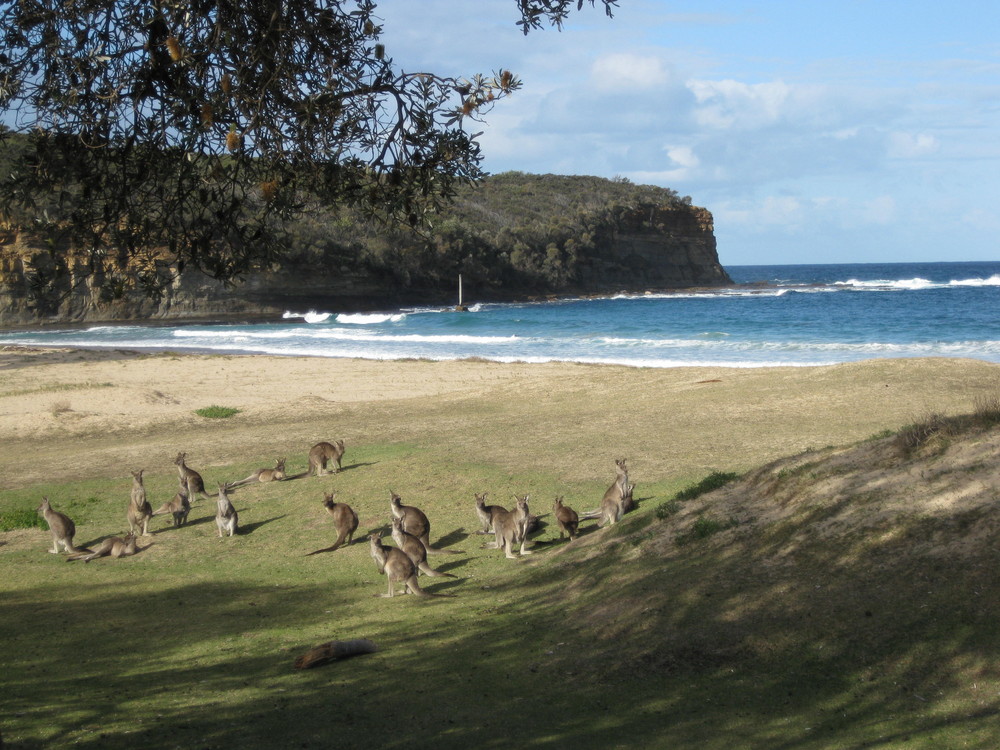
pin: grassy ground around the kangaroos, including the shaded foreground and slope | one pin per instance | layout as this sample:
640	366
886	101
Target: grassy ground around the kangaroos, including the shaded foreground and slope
786	623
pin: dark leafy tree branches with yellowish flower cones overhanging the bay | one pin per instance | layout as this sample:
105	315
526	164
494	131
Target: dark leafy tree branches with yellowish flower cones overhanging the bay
200	129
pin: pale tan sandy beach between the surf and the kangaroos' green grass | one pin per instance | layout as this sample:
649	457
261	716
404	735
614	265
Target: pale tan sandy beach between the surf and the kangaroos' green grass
68	414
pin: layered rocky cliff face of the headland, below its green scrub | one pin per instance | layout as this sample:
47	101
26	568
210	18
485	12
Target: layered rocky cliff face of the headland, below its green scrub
664	245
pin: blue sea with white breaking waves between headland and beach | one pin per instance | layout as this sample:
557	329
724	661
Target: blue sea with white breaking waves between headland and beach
775	315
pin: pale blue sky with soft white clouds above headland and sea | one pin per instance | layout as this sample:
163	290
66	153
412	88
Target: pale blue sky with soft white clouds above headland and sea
815	131
